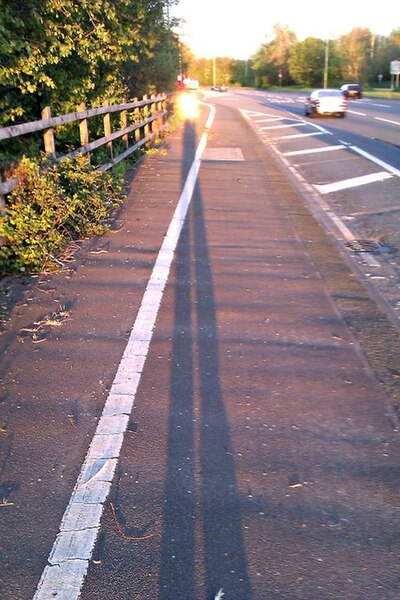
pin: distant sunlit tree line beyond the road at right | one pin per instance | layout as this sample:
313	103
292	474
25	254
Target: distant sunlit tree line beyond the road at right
360	56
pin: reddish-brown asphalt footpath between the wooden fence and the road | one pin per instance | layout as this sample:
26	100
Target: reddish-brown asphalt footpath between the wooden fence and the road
261	456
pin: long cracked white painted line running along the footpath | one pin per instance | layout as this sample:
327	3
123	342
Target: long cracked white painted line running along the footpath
69	558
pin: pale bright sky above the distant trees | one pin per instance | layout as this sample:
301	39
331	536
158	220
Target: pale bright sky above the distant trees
238	28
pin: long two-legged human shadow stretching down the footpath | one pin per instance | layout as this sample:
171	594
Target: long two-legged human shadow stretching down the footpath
212	519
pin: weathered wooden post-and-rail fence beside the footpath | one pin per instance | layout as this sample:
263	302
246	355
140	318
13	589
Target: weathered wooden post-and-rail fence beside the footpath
146	117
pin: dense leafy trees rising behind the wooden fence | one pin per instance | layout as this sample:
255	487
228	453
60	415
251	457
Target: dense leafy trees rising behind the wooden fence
65	52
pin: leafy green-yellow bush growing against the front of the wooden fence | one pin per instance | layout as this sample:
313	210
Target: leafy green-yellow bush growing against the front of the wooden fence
54	204
